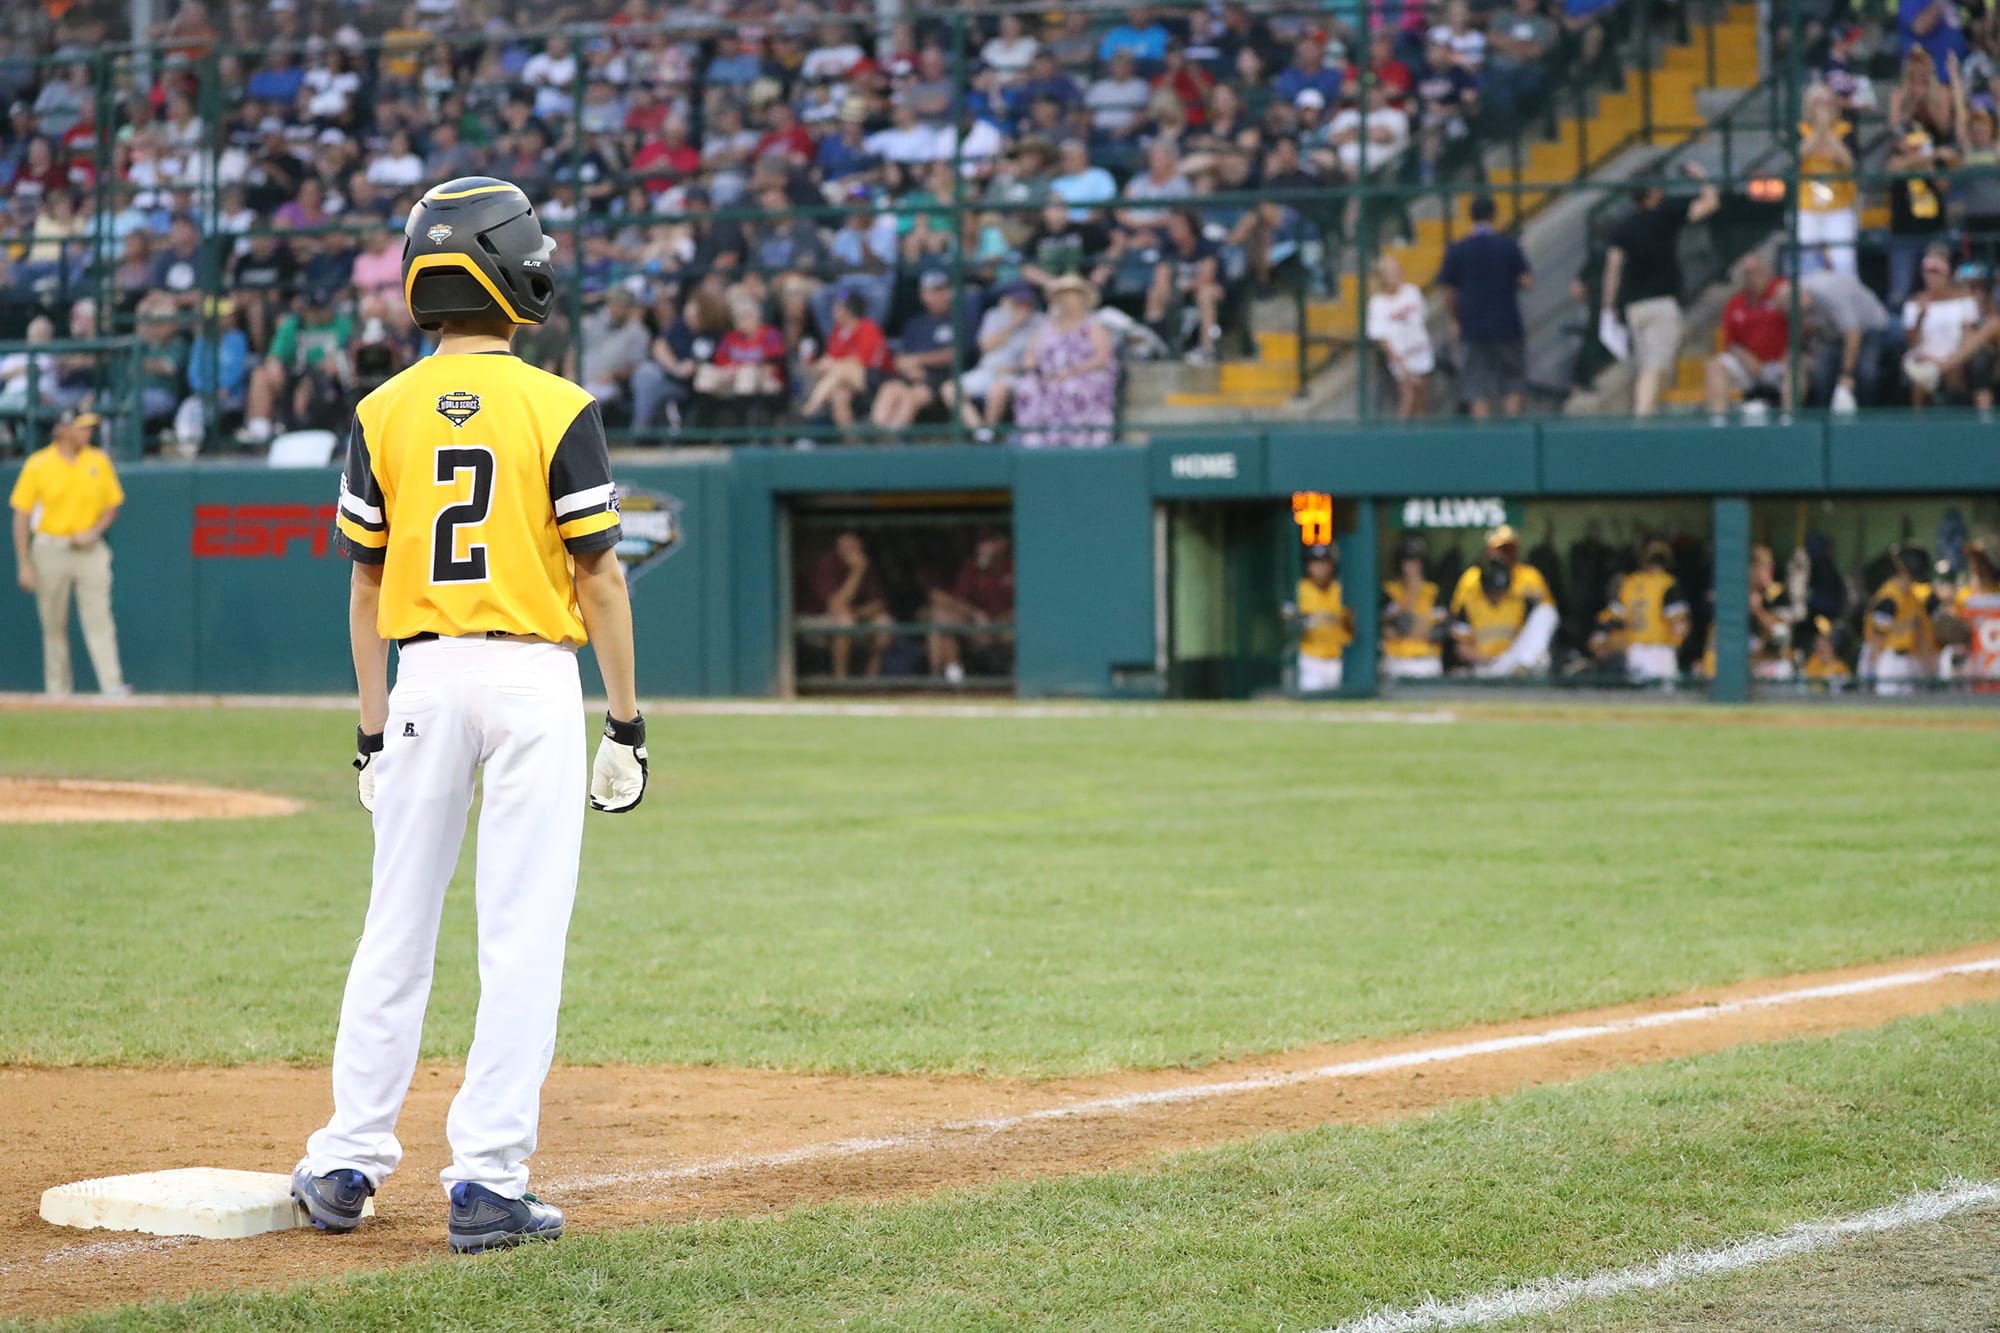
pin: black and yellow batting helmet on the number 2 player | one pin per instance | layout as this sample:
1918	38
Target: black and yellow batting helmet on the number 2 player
475	249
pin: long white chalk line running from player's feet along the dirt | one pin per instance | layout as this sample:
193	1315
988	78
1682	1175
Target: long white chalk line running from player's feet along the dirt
1259	1084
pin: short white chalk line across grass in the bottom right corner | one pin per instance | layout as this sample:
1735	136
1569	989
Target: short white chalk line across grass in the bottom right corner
1681	1266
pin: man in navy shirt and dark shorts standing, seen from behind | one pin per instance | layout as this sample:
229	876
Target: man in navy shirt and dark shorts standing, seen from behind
1483	277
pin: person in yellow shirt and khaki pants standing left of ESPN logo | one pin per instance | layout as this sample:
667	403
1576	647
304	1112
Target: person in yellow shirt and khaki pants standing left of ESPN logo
65	501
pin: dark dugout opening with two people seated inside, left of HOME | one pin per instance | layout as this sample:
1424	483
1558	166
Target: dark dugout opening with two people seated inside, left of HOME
897	593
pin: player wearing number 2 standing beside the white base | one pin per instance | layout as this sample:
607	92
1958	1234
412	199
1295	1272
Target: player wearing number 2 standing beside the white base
481	517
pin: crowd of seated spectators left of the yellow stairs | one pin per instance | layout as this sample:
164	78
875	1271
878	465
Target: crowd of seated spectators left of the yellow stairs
757	203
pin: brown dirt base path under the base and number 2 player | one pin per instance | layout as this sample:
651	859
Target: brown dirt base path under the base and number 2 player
663	1146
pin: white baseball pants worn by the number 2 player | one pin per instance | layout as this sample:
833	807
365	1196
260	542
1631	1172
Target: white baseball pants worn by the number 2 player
463	704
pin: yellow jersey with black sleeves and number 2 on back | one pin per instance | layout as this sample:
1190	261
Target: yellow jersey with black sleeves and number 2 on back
473	479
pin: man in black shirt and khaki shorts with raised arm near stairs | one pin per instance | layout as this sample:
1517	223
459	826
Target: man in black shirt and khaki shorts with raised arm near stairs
1643	277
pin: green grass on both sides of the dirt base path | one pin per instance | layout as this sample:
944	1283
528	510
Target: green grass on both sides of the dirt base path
1065	896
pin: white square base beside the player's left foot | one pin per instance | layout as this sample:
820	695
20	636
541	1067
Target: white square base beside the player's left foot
203	1202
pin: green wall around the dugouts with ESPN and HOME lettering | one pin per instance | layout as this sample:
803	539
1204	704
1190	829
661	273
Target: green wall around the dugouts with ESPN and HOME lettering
227	579
